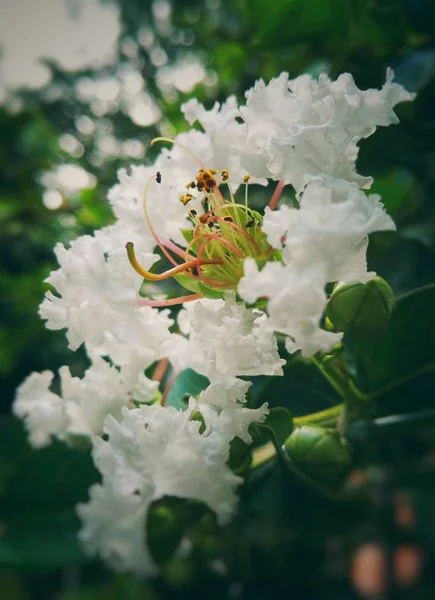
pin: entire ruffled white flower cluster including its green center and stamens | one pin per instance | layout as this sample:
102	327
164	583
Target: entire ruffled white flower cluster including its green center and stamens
247	277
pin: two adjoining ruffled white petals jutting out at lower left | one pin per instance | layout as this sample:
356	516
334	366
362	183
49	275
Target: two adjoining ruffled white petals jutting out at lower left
83	405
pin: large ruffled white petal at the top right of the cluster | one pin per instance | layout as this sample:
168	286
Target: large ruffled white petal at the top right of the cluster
300	129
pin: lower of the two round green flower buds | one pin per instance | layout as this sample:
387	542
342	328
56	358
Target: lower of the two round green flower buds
319	453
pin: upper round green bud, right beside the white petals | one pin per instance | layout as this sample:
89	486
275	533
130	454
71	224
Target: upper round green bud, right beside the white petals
362	305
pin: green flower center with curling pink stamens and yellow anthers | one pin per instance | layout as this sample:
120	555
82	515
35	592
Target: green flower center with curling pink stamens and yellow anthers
223	234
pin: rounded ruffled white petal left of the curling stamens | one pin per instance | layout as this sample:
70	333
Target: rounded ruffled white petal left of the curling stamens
94	286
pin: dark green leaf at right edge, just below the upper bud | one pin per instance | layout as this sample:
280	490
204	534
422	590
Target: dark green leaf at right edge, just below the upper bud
401	352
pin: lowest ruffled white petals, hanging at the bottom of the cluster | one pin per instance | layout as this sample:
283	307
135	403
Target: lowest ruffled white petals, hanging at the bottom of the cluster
153	452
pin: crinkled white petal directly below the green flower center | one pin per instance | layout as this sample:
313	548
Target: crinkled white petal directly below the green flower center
226	340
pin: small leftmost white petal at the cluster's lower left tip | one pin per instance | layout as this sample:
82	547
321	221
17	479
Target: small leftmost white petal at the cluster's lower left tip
43	412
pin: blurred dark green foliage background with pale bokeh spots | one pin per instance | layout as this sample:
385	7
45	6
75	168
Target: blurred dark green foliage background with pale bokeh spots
84	87
